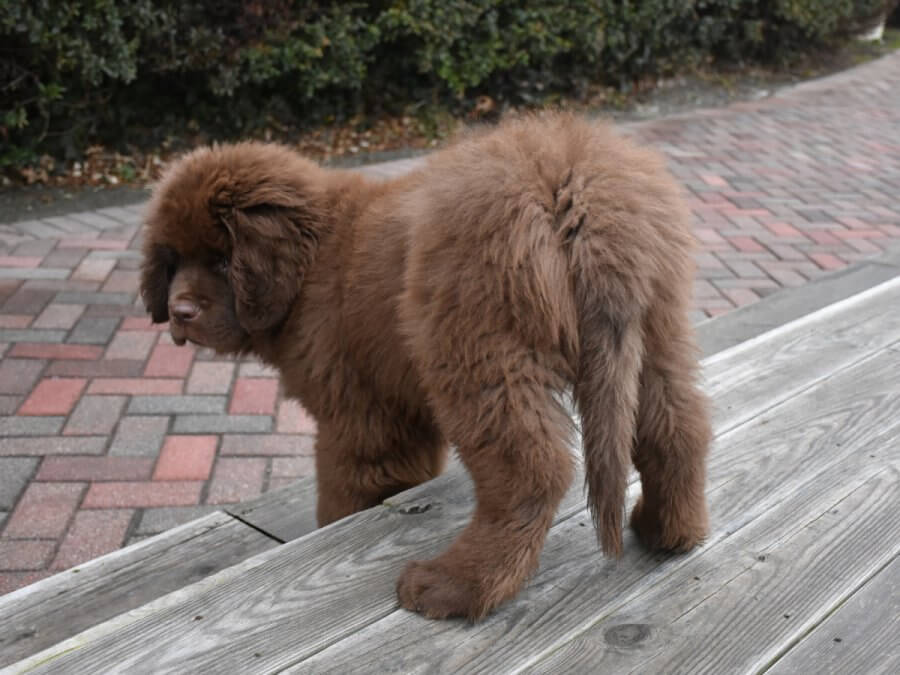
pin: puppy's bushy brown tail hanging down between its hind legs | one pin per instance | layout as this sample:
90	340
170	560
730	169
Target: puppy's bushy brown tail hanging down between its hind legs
606	390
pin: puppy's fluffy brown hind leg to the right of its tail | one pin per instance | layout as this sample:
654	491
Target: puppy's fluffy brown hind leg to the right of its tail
673	435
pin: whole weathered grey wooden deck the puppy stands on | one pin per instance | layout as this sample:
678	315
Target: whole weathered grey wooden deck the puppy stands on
800	572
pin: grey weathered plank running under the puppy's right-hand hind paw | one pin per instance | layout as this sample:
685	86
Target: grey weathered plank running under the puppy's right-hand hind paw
751	469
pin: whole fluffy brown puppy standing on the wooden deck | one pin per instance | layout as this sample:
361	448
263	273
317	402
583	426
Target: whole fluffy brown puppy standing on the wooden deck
454	305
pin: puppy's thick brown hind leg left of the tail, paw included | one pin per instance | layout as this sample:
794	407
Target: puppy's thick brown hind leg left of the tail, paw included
513	437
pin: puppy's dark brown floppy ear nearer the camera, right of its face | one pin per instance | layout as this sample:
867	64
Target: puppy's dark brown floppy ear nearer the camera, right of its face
272	247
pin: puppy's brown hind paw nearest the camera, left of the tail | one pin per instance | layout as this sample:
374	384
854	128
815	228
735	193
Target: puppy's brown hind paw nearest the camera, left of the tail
433	590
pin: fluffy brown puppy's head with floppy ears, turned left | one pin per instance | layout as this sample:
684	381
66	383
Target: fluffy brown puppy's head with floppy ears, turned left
230	234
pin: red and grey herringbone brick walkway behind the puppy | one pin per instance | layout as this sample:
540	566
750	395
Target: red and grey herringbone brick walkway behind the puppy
110	433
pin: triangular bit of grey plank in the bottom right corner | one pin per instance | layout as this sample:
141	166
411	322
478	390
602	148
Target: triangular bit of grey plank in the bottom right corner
862	636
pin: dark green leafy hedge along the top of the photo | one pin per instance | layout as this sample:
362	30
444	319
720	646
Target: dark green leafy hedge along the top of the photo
120	71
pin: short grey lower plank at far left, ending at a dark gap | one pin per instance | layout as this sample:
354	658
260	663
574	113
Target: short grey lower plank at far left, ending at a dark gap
40	615
